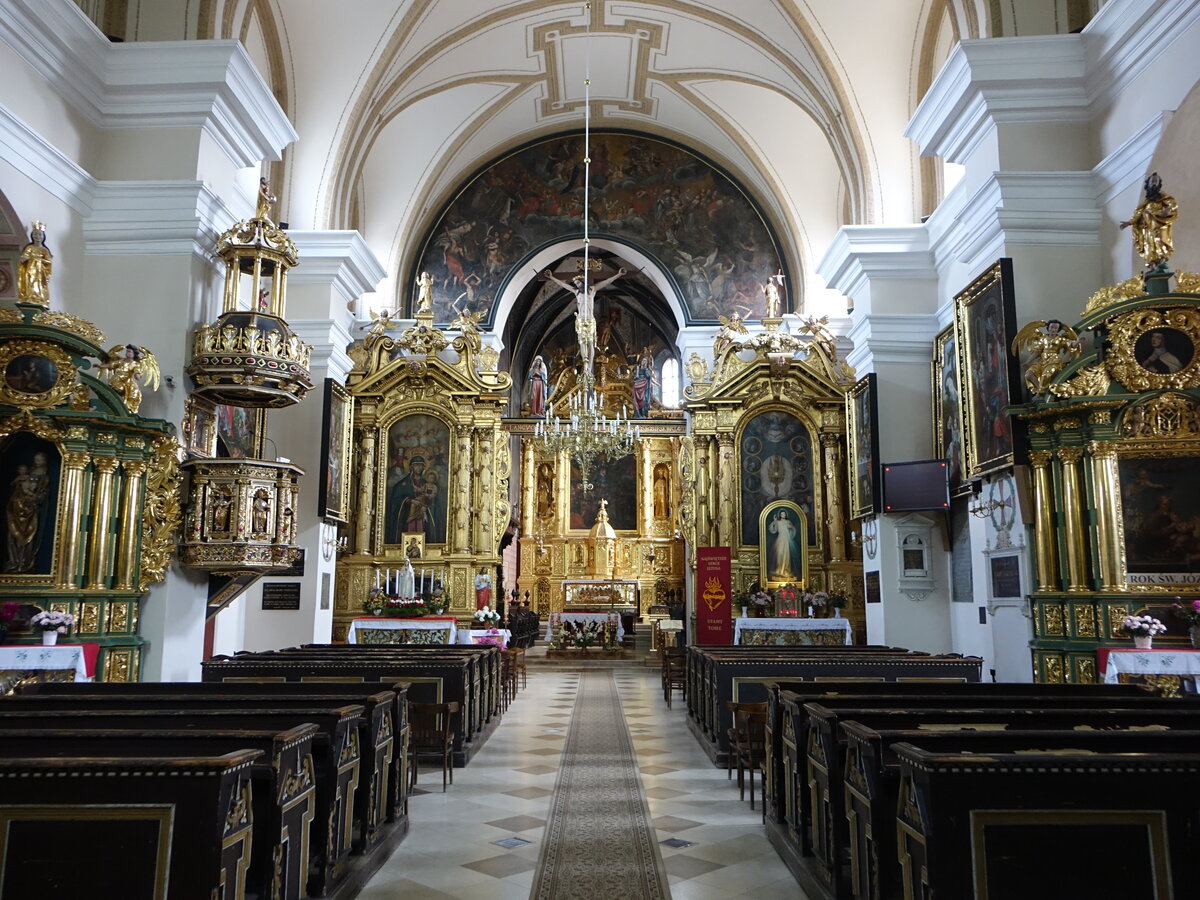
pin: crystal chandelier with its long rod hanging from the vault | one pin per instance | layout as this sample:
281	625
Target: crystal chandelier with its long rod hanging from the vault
586	434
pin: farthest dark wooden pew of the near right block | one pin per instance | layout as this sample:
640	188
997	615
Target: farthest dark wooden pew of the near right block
777	775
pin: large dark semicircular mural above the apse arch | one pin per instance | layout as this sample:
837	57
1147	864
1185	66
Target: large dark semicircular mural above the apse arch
697	223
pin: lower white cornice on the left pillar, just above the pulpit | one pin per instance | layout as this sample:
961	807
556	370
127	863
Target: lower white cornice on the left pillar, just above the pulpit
155	219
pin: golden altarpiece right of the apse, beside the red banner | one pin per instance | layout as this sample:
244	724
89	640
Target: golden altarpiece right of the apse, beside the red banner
769	425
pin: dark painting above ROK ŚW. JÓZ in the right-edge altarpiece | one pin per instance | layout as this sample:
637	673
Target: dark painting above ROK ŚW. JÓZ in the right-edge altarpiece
1162	520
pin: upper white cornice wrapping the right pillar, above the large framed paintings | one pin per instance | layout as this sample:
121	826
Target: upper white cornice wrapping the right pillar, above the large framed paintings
1000	81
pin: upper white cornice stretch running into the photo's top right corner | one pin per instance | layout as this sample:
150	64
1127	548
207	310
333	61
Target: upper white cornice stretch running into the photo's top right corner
1126	39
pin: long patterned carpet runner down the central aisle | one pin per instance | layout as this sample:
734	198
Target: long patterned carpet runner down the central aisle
599	841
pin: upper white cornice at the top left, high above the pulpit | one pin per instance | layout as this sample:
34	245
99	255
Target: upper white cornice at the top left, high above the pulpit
212	86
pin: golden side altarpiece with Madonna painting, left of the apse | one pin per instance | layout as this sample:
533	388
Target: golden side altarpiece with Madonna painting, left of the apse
430	463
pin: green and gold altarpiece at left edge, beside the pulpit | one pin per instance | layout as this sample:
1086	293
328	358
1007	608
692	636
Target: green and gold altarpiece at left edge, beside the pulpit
91	489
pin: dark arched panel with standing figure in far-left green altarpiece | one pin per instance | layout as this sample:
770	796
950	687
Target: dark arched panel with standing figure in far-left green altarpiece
29	495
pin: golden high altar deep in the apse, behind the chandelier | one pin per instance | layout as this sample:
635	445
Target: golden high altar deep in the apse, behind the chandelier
616	547
